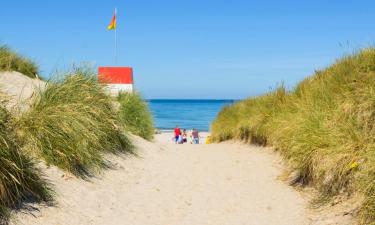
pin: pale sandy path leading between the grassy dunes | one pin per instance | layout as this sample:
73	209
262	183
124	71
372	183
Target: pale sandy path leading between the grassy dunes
177	184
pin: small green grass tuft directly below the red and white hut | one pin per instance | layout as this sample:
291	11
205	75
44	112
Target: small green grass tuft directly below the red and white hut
135	115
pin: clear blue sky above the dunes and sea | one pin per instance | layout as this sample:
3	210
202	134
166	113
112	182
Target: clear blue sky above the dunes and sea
192	49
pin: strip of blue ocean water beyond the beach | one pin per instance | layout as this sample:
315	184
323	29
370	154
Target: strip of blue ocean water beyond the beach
187	114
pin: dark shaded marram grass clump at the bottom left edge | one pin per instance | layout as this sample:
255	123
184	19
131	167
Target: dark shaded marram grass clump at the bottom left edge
20	179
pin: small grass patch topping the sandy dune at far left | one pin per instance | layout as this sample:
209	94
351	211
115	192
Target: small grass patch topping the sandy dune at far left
11	61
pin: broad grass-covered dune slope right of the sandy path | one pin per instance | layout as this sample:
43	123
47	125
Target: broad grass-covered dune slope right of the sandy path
324	128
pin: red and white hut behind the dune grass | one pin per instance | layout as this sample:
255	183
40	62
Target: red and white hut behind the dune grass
117	79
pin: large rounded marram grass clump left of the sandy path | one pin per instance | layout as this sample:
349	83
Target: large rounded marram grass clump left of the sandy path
72	123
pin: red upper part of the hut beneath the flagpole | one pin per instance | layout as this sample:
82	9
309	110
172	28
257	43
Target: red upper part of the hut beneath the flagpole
115	75
